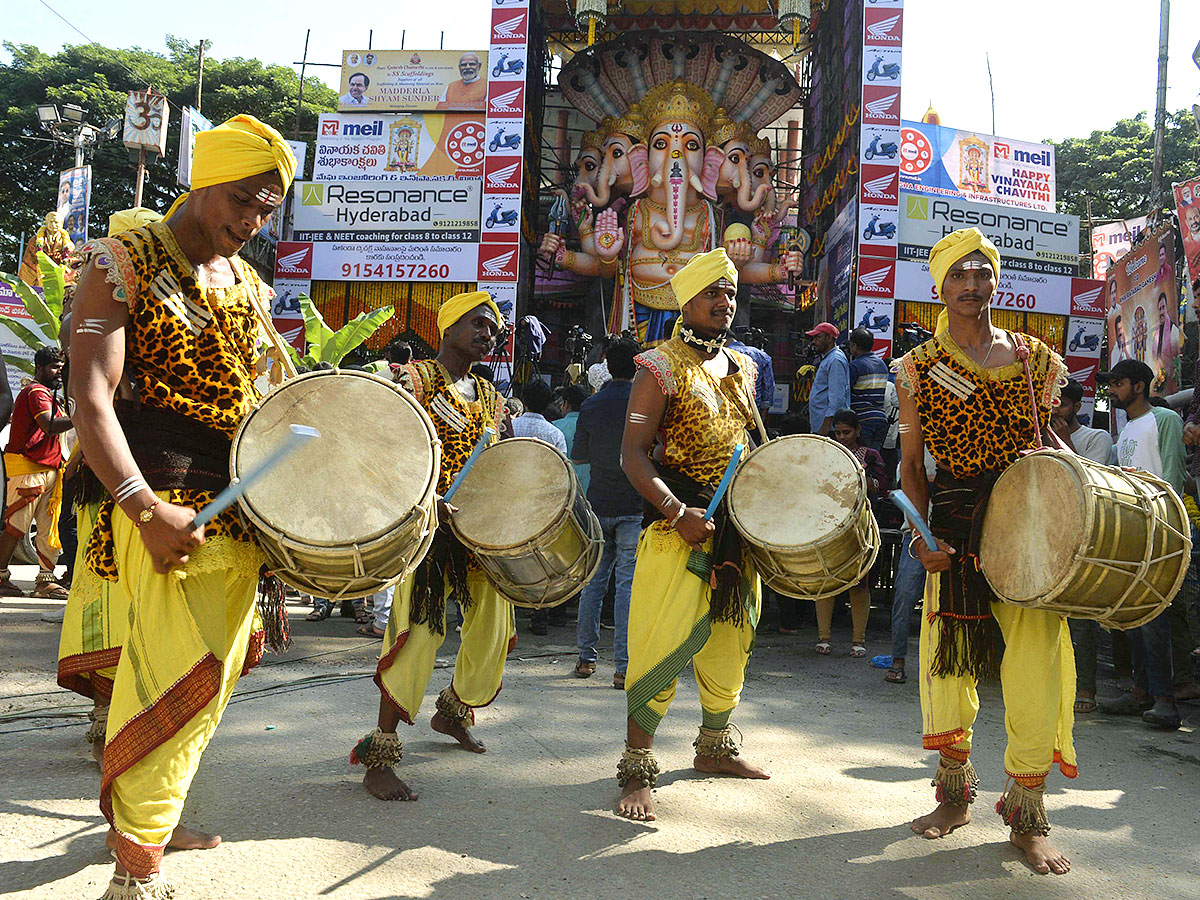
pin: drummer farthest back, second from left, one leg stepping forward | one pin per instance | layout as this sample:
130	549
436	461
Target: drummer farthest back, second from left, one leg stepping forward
461	406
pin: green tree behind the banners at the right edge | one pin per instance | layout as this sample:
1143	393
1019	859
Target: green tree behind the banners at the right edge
1113	169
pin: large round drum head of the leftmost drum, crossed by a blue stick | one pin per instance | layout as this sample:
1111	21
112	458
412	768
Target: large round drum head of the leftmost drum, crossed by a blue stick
375	460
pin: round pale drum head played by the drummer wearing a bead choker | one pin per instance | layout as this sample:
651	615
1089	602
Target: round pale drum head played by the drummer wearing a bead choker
795	491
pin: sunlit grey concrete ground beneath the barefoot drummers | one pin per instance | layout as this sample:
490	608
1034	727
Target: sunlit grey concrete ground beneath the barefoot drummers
533	817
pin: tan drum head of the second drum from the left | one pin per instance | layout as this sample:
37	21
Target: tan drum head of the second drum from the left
514	494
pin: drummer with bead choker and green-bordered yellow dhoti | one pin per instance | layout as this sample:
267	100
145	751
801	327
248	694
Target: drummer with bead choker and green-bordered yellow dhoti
700	397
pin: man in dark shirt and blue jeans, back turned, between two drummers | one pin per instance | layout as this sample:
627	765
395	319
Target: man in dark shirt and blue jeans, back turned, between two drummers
598	436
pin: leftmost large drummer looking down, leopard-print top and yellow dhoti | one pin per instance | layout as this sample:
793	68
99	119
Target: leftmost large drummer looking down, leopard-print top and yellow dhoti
172	304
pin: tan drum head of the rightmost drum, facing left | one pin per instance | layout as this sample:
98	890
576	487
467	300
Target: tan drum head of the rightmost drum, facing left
1034	527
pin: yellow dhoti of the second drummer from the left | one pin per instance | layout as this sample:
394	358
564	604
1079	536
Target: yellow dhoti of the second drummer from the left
410	650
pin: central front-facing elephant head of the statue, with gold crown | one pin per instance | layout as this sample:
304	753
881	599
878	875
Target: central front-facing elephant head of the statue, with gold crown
681	172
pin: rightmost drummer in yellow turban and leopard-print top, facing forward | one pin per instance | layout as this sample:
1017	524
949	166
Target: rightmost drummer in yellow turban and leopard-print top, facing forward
965	397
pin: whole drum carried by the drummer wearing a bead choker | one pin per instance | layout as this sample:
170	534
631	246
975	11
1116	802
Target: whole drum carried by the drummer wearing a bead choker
801	505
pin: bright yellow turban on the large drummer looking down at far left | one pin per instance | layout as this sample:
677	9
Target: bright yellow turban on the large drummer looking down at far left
239	148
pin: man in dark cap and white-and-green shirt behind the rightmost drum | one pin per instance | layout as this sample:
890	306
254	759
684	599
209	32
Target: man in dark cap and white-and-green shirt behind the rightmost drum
1153	441
